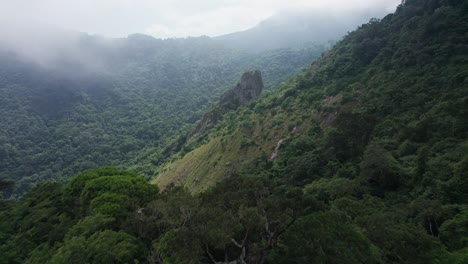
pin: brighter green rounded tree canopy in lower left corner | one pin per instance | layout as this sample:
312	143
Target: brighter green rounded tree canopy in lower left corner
43	227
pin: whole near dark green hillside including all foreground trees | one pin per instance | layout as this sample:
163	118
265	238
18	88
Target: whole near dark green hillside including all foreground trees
372	168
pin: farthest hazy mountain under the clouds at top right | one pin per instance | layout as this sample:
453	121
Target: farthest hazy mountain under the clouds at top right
293	28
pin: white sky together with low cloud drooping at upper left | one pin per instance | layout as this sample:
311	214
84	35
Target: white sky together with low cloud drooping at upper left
48	31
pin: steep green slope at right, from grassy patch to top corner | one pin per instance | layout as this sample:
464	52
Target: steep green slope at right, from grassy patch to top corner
399	83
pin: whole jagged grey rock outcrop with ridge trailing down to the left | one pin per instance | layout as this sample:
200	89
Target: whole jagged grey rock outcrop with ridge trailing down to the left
249	88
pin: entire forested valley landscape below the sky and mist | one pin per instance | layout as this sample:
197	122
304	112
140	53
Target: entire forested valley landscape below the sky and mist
188	151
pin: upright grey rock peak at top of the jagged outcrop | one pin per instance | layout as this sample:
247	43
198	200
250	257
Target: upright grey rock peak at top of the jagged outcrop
250	87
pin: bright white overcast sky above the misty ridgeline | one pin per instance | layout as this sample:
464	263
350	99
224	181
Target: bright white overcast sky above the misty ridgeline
163	18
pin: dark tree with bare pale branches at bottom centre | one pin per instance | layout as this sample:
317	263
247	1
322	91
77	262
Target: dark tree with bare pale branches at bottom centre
240	219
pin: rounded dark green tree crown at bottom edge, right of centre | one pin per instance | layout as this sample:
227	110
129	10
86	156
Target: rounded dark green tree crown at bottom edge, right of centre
325	237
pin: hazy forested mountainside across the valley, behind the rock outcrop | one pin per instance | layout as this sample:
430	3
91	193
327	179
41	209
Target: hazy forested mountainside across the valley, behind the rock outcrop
141	95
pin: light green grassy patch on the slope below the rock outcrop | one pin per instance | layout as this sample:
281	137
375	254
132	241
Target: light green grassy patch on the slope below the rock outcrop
242	136
